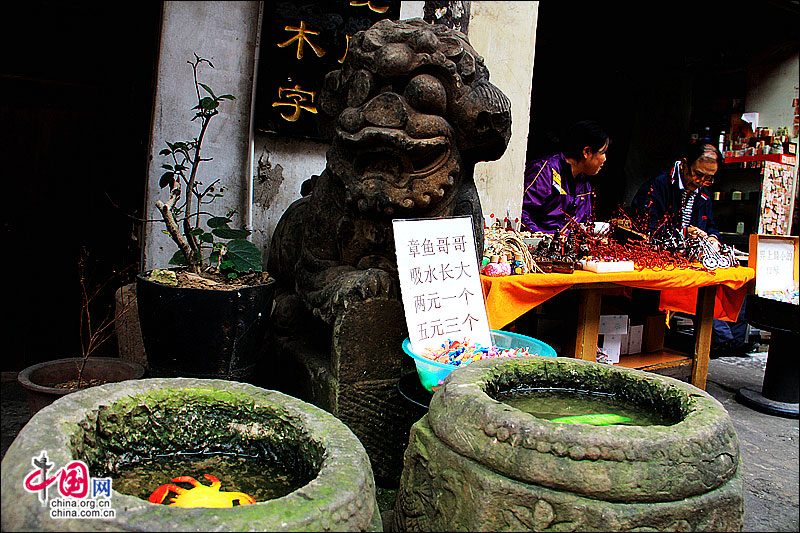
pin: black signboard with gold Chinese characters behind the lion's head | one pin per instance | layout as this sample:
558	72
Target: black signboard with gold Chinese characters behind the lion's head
300	43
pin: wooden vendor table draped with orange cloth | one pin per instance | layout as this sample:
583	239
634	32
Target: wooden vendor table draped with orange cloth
705	294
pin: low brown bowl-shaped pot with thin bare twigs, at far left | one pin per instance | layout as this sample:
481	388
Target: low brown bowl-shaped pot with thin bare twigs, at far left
46	382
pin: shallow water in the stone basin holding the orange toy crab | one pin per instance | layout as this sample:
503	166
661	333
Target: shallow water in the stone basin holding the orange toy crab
263	480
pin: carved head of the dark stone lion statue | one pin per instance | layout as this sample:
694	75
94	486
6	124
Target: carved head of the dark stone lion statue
409	113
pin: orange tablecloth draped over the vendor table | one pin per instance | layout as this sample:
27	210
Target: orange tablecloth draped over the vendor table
509	297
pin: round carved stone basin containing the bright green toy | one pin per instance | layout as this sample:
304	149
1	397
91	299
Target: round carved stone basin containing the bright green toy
496	468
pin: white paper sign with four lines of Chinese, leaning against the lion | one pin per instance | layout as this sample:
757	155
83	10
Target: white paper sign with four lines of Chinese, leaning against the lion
440	281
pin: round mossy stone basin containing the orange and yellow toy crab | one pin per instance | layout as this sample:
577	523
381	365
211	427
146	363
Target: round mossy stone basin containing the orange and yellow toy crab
108	424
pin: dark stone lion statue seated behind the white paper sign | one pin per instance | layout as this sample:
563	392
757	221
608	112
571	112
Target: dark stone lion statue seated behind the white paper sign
409	114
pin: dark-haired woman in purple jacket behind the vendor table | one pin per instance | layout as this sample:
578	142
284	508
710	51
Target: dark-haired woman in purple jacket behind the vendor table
557	188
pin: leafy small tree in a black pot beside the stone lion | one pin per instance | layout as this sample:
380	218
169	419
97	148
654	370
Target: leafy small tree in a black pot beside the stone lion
207	318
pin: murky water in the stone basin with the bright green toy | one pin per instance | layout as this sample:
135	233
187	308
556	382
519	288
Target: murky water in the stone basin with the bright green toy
548	404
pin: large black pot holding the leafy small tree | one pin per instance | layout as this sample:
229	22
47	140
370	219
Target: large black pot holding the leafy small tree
203	333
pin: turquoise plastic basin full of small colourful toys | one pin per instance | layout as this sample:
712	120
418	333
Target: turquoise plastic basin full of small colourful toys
434	365
